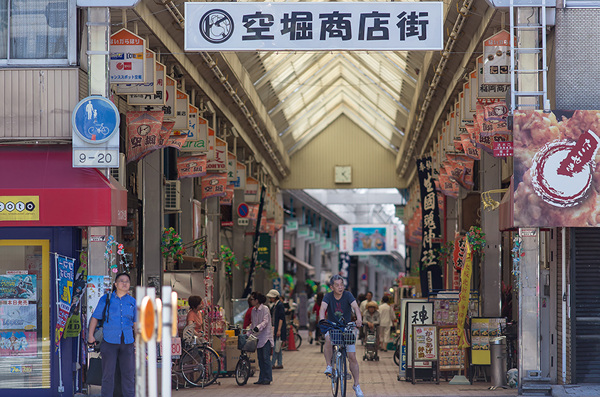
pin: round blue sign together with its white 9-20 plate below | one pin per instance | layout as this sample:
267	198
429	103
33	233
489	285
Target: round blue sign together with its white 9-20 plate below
95	122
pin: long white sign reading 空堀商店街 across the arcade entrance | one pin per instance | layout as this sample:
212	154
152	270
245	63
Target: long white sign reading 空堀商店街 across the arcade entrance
312	26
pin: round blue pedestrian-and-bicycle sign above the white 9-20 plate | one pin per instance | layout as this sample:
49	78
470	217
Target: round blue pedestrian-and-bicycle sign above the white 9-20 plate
95	119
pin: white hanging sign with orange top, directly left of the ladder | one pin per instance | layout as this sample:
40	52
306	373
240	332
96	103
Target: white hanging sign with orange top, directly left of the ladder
496	58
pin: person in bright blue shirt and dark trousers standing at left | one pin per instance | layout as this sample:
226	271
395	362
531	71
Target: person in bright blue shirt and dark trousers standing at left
119	329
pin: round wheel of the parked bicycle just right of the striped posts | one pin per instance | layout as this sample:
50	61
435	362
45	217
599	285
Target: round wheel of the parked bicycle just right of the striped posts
200	367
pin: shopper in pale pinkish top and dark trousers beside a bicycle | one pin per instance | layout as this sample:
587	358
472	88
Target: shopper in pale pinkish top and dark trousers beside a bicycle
261	325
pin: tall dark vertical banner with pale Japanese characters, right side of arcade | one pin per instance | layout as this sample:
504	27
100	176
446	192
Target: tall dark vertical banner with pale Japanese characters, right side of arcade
431	228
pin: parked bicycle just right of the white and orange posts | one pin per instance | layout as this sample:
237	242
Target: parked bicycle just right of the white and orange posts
200	364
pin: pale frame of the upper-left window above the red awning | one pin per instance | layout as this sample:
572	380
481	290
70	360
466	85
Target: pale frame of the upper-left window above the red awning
70	60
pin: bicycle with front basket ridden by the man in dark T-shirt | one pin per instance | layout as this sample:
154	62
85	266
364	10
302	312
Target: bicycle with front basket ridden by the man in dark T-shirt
340	335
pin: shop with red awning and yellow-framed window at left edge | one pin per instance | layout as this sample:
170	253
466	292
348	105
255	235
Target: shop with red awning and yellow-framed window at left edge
44	206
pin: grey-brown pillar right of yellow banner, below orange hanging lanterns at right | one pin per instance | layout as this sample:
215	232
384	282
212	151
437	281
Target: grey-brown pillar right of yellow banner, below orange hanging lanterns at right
491	268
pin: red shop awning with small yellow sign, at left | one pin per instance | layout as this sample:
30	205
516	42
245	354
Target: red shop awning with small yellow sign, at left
39	187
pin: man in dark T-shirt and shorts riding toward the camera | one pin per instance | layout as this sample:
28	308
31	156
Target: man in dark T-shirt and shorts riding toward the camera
336	304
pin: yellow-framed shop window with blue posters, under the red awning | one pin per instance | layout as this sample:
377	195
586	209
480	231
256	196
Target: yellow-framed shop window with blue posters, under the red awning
24	314
